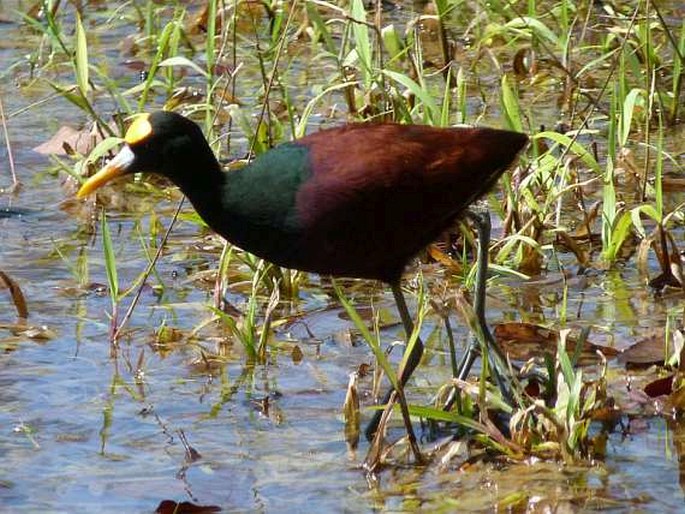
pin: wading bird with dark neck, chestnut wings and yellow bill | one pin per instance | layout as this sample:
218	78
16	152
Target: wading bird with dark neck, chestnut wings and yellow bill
360	200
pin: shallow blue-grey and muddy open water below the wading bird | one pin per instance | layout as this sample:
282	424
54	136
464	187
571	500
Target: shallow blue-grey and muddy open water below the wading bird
86	427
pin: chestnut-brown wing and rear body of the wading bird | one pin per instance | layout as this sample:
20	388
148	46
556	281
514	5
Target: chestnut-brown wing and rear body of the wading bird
380	193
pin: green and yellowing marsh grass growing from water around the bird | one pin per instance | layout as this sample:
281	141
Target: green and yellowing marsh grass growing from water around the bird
597	87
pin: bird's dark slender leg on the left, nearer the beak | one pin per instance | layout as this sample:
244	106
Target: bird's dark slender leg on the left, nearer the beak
411	363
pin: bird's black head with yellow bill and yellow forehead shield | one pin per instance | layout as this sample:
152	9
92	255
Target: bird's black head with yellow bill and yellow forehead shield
161	142
